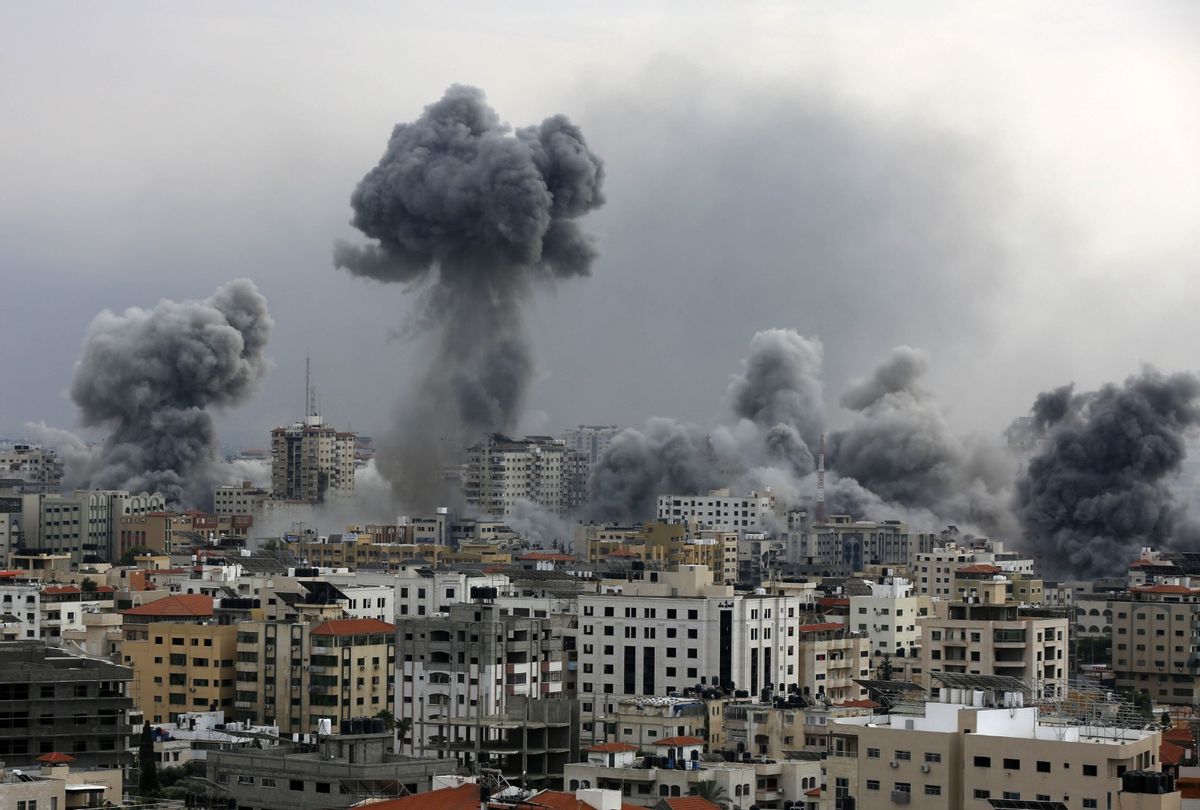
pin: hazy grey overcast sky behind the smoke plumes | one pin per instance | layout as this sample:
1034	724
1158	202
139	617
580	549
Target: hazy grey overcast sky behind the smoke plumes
1012	188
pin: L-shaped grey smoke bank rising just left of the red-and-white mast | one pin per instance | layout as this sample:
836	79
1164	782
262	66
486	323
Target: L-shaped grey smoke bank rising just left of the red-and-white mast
777	403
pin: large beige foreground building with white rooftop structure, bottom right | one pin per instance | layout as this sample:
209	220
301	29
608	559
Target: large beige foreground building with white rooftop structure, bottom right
976	747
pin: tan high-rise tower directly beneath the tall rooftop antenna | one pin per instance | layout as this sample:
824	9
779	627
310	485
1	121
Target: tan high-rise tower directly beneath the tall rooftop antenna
313	463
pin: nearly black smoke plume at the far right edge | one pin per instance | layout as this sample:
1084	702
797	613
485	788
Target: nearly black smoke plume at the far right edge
1097	489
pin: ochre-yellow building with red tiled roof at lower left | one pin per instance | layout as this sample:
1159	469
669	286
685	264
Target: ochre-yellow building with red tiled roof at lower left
182	659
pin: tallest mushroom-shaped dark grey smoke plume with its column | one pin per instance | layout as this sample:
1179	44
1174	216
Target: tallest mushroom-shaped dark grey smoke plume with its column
481	214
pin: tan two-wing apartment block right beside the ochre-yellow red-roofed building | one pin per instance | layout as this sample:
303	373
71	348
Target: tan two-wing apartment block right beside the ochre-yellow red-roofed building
297	674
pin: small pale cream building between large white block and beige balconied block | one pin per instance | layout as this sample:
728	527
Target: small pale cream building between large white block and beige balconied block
890	617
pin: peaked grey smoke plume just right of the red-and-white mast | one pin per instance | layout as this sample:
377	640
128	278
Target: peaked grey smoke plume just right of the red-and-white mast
902	449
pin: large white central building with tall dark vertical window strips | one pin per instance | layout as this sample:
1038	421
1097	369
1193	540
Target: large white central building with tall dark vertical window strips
679	629
